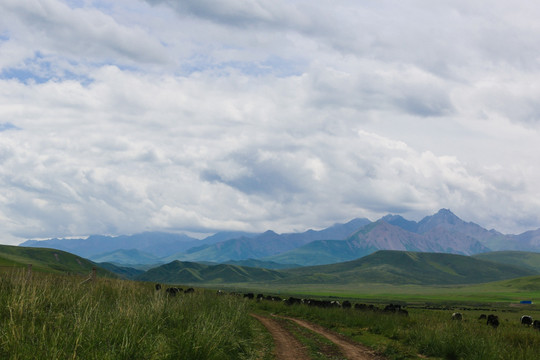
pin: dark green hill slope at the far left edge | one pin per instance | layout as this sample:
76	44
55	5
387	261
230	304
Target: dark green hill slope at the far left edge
47	260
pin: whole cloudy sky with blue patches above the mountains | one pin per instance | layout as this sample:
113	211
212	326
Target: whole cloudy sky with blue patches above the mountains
124	116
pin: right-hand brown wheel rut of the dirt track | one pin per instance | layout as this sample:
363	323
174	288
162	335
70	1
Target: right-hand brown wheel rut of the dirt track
351	349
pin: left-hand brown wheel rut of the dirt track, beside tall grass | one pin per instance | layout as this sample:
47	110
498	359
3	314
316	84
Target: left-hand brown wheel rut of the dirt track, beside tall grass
287	347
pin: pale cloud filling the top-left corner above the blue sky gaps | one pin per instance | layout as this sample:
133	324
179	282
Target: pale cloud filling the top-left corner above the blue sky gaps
53	29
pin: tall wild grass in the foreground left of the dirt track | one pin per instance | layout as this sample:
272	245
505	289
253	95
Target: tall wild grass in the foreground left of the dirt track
57	317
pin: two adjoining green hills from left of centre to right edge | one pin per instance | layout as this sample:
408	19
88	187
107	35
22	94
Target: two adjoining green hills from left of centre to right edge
385	266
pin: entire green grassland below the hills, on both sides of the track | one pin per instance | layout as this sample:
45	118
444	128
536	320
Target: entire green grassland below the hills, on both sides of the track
51	316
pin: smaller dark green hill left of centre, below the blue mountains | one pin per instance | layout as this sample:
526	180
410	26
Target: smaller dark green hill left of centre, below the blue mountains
178	272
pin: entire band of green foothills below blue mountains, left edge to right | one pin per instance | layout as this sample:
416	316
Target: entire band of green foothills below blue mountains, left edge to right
381	267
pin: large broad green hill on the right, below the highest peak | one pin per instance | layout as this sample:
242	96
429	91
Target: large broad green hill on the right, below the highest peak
402	267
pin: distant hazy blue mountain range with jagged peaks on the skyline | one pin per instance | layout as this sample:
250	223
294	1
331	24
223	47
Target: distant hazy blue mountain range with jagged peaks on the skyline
442	232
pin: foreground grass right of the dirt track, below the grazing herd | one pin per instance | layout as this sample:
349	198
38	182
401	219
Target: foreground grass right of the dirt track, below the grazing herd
431	333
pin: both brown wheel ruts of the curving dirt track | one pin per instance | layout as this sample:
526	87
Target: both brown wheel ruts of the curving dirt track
286	344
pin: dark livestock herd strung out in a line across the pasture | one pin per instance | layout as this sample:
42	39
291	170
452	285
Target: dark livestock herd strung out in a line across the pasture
491	319
